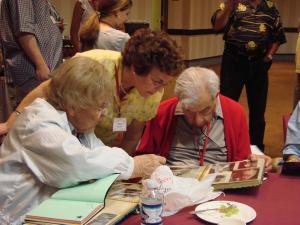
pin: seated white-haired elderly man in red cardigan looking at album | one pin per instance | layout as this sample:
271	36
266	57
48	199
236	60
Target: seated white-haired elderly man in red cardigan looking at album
199	126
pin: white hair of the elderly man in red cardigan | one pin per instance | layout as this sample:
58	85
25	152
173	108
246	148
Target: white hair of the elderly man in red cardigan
193	82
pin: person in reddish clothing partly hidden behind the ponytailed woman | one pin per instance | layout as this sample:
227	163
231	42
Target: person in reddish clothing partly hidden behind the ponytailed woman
83	9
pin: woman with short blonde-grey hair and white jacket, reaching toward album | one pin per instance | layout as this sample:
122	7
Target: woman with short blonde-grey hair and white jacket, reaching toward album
52	144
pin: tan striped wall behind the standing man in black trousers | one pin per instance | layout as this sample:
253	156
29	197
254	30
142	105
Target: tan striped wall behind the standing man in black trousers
196	14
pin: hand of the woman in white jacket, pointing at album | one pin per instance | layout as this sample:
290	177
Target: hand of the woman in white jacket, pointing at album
144	165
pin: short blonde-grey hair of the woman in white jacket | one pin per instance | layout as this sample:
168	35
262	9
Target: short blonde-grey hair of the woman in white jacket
79	83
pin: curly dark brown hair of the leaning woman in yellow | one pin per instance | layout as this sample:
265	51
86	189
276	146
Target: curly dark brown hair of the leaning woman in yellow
147	49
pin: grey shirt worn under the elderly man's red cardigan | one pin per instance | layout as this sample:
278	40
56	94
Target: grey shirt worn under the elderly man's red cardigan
184	149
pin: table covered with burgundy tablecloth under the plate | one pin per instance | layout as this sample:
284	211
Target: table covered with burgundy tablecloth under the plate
276	202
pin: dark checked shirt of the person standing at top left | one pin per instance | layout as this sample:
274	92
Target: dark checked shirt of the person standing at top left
34	17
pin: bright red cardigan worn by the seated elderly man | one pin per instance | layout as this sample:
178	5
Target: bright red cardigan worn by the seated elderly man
159	131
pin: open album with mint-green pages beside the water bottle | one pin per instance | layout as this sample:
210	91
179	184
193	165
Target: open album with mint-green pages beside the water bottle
102	202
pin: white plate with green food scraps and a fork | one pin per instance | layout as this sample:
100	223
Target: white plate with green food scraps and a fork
214	211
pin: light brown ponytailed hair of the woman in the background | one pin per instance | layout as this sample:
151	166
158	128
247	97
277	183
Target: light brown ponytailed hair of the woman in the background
89	31
